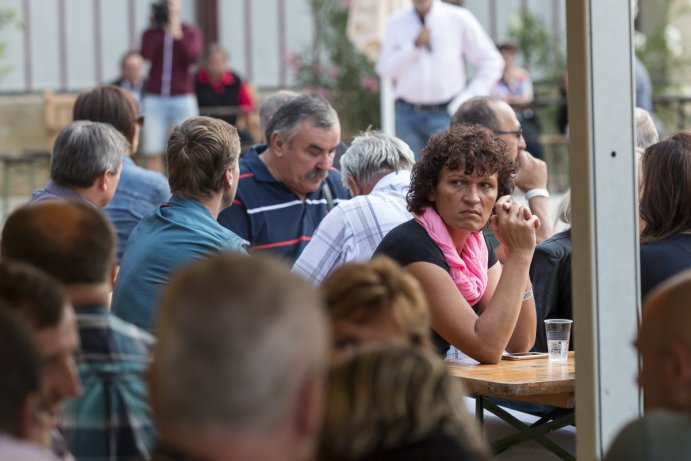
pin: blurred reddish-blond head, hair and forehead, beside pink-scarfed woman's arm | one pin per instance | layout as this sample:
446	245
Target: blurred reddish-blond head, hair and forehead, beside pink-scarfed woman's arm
375	302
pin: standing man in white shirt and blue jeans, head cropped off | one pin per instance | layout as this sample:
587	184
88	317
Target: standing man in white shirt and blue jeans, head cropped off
424	52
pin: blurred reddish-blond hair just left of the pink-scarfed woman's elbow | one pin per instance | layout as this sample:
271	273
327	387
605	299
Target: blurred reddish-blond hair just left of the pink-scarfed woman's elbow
362	292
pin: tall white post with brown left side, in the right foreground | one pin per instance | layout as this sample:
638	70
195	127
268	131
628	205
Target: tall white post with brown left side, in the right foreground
605	262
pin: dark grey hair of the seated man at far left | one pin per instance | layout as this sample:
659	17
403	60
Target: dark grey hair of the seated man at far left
84	150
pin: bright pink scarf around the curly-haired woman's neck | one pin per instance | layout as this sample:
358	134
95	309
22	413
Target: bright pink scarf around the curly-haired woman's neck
469	269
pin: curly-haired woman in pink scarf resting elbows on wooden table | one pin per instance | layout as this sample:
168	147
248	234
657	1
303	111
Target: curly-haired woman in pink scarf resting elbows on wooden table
475	304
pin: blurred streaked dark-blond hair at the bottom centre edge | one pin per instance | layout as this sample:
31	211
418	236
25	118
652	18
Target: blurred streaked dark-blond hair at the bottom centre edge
380	398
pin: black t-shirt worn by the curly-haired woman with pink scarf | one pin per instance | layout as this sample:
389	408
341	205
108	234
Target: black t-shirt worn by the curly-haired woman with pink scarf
410	243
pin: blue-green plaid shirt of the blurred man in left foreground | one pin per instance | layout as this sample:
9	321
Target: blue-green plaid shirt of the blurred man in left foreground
111	420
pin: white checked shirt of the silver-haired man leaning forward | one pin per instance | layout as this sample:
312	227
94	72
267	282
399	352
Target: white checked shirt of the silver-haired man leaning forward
353	230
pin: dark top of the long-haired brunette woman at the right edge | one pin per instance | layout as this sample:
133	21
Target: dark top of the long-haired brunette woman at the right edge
663	259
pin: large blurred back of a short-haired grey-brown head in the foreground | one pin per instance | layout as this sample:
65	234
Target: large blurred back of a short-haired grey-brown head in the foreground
248	334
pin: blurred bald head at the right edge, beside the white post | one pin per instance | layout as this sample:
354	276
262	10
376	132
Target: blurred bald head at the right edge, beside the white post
664	342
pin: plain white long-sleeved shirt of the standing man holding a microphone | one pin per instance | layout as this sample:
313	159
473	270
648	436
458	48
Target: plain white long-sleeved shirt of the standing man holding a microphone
437	74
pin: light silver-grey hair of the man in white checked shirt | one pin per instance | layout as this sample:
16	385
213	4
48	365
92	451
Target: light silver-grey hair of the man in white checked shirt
373	154
